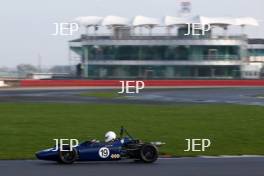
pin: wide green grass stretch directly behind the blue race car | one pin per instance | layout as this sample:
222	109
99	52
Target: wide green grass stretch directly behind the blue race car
233	129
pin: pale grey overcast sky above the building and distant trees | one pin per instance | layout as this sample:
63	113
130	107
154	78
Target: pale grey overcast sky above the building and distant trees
26	25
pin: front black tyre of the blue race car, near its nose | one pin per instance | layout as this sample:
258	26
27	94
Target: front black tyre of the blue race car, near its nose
67	157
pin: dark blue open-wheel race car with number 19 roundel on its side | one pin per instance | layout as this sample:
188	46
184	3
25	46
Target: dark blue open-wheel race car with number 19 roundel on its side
120	148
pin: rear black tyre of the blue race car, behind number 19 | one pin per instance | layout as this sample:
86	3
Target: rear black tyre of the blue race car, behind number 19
148	153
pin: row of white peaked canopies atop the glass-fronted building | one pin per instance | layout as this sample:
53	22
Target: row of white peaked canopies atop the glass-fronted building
167	21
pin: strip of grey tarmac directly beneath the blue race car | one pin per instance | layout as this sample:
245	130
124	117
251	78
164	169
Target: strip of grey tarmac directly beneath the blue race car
249	166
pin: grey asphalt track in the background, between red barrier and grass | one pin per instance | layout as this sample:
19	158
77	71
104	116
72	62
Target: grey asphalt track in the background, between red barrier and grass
247	96
